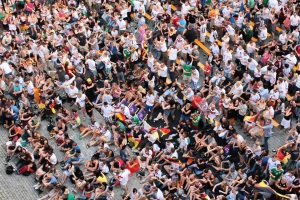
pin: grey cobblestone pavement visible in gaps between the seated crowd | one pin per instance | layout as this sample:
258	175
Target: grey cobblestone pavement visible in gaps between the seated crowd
15	187
